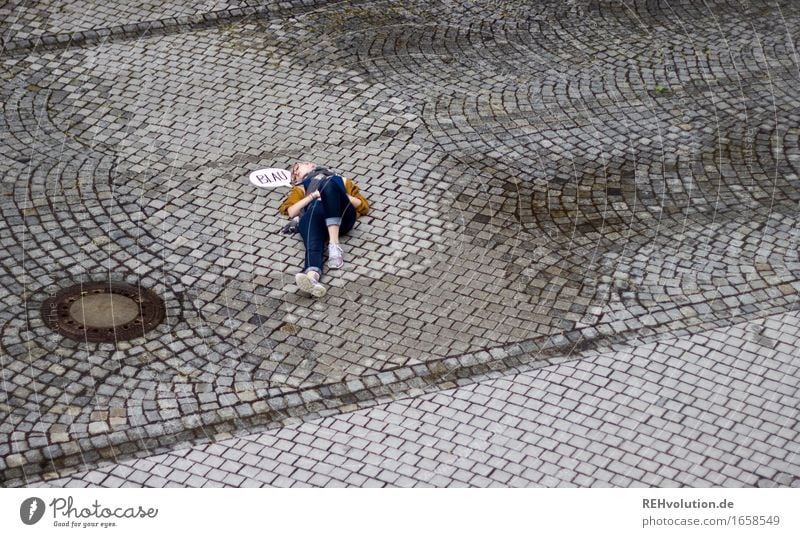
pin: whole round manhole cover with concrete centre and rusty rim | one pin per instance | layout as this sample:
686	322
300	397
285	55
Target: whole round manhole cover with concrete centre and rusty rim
103	311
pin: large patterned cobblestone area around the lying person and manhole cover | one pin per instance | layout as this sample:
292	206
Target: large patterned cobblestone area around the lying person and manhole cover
547	177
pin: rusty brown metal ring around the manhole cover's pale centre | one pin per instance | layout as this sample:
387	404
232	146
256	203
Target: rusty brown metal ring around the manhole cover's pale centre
56	312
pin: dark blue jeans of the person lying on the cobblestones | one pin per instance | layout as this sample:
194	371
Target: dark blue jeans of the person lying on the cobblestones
334	208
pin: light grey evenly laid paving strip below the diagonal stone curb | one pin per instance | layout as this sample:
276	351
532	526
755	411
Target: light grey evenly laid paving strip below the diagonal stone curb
715	409
